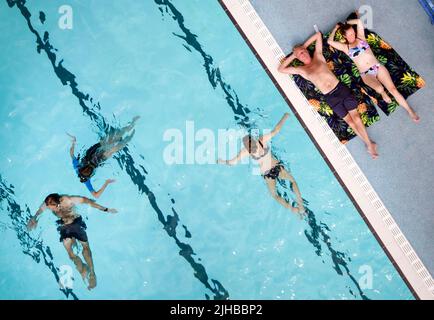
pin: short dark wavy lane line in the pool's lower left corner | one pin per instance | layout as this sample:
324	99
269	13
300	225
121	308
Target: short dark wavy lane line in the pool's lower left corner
32	247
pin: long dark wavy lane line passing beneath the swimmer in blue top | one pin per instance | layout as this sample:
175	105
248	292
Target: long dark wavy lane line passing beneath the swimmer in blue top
125	159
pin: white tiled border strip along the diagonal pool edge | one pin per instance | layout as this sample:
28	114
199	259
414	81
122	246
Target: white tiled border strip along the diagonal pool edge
368	200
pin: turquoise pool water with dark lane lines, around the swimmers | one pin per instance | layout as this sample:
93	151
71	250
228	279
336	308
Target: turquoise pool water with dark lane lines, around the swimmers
182	231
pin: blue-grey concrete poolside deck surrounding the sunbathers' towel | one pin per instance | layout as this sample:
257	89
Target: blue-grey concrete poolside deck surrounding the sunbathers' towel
403	176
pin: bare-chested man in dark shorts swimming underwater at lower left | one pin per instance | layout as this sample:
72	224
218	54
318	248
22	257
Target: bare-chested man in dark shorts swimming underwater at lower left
71	228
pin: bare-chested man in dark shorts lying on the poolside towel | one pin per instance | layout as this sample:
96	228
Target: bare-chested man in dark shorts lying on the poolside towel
340	98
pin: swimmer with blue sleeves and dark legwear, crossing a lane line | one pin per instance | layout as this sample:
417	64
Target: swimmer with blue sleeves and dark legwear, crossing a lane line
98	153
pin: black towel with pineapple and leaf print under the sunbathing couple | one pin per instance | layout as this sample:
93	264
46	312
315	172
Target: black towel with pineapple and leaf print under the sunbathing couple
406	80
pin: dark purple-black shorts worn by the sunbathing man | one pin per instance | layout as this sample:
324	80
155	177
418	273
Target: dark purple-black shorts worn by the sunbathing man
341	100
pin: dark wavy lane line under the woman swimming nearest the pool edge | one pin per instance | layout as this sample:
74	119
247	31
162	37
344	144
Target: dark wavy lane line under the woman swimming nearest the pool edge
317	233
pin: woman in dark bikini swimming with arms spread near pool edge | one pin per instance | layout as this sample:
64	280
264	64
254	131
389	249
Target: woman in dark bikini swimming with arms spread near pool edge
271	169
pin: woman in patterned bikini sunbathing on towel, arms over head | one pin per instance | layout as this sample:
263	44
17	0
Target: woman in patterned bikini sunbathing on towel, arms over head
372	72
